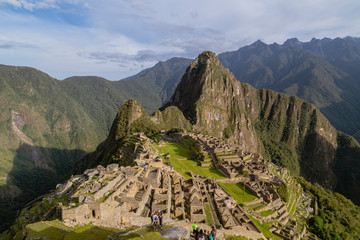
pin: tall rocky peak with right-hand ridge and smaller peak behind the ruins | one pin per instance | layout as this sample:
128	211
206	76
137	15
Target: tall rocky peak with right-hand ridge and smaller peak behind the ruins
286	129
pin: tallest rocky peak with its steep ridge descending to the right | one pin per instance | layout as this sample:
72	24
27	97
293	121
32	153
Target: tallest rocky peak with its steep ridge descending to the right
286	129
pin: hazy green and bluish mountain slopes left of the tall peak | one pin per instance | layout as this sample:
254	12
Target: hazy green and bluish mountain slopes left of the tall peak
46	124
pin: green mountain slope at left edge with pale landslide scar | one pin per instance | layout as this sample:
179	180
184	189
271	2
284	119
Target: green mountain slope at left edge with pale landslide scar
42	132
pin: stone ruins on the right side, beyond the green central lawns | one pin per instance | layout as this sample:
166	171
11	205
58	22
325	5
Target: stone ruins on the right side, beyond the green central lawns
250	169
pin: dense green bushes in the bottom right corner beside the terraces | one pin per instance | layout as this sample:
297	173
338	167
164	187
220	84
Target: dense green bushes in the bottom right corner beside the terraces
336	216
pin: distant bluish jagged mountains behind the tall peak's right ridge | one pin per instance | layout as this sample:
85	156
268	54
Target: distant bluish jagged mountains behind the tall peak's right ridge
323	72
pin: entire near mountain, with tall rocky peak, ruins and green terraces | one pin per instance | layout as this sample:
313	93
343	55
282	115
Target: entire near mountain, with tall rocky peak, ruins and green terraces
219	154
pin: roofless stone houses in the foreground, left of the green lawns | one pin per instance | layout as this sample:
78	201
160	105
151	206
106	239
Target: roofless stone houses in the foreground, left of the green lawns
125	196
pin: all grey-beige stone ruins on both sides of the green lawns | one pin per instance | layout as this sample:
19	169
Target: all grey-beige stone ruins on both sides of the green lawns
124	196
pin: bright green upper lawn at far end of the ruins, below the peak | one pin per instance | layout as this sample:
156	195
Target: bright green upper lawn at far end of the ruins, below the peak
177	152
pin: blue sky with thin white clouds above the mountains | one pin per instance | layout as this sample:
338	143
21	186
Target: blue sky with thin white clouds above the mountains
115	39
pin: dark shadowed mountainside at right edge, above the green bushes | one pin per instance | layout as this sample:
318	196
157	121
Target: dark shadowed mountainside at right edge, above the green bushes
342	175
